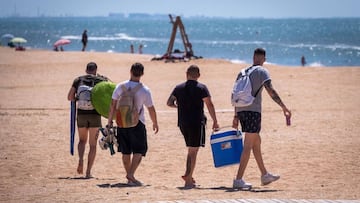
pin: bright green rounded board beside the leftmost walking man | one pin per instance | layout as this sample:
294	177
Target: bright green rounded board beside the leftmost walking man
101	97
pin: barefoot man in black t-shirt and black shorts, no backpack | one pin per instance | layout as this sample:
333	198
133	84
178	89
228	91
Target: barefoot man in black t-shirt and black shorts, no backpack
189	98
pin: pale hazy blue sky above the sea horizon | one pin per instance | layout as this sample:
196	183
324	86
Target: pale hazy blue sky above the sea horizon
223	8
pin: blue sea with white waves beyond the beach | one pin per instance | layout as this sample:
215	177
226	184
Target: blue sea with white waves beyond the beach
323	42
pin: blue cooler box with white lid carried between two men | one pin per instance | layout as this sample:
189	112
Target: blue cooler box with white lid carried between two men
226	147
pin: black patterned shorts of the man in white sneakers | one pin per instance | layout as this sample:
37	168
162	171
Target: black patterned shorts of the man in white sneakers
250	121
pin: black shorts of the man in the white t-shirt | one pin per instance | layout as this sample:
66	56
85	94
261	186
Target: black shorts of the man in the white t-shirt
132	140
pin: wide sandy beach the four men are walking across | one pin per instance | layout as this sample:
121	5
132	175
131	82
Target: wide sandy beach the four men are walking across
318	156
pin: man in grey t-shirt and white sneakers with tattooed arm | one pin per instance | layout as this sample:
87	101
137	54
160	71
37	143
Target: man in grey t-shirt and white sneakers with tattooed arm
250	119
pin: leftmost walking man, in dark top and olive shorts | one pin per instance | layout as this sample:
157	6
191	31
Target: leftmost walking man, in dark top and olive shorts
88	120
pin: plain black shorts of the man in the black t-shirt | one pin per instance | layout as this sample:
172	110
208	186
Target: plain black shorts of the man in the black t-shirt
194	135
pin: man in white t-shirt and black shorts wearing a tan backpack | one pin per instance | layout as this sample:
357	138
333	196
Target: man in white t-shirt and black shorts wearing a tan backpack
133	140
